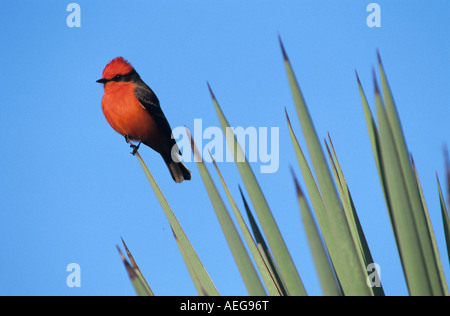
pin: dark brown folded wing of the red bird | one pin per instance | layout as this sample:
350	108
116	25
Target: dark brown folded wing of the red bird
148	99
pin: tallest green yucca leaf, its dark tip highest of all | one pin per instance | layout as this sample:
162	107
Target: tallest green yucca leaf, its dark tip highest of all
351	273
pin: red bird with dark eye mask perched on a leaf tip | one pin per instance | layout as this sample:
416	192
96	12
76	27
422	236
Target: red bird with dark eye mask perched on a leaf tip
132	109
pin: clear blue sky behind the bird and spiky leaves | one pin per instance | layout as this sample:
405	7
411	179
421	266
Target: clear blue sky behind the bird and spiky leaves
69	188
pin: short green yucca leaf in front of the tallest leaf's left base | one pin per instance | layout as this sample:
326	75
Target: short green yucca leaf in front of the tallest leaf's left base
323	266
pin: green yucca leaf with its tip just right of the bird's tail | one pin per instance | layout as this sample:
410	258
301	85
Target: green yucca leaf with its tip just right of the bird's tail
240	255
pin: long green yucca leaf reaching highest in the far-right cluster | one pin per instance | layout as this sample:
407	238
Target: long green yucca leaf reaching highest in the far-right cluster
411	186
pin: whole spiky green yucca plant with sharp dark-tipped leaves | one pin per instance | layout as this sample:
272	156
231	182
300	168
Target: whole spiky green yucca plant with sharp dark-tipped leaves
336	238
